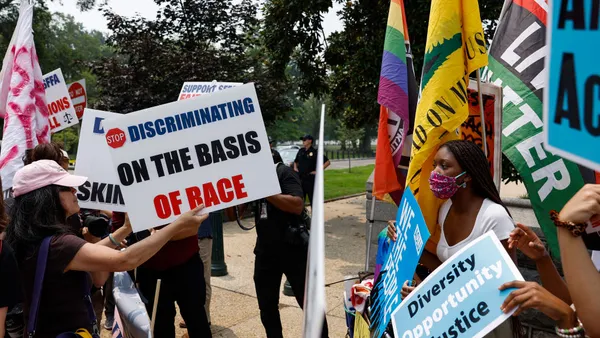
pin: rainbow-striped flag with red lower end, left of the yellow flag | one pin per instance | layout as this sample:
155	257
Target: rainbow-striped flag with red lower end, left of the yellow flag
397	97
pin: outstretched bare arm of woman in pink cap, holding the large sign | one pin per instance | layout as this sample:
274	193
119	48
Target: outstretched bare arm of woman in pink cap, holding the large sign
93	257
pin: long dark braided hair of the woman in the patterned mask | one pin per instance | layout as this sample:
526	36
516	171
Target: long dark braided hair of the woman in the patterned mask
471	159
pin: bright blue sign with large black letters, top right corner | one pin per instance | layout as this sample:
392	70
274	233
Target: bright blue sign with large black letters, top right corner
571	102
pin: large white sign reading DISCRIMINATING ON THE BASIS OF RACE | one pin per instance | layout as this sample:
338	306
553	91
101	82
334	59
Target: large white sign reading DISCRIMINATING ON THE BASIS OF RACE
210	150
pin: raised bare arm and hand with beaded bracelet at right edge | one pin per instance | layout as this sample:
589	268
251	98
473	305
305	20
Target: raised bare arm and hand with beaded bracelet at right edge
581	275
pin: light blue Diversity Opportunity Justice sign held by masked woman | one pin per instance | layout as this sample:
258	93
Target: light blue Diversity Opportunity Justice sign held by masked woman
461	297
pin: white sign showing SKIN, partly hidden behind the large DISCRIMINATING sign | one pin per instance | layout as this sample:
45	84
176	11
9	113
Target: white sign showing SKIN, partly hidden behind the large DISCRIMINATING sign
102	191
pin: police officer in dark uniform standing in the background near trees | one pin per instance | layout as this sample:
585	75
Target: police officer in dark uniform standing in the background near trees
306	165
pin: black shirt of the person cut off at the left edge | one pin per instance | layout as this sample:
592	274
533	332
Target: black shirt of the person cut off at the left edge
10	286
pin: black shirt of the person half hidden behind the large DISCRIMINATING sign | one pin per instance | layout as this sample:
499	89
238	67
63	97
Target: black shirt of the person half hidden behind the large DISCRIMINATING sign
271	231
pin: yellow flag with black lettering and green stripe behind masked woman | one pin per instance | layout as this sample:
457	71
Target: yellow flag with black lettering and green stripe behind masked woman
456	46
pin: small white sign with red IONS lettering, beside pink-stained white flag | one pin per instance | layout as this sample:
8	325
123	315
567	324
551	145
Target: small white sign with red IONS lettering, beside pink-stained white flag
61	110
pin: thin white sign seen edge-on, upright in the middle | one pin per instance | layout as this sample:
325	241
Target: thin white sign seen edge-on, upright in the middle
314	298
